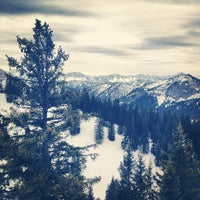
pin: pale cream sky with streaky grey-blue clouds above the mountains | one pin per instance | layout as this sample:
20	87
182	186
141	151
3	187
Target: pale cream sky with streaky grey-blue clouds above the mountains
159	37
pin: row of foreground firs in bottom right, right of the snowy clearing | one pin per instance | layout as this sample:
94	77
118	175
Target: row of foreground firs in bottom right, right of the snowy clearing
179	180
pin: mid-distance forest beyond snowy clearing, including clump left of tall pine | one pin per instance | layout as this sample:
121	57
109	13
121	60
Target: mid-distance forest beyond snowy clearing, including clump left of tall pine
146	128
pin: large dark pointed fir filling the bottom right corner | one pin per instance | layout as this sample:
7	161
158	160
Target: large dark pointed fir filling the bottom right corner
181	179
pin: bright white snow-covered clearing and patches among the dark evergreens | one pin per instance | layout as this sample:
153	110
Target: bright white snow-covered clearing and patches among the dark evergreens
109	153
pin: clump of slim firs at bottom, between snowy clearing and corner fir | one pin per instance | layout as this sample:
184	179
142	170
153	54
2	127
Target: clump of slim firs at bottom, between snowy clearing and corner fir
136	180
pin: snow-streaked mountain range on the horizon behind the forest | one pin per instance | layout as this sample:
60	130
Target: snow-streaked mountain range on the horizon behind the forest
179	92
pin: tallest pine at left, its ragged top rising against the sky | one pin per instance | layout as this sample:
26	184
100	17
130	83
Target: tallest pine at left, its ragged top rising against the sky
42	165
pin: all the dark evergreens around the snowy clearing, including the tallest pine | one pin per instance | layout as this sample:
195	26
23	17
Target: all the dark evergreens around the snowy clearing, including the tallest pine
37	162
